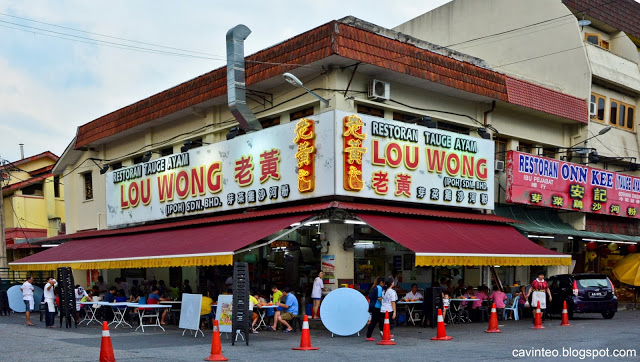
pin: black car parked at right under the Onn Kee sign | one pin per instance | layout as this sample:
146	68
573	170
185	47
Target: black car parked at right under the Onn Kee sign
584	293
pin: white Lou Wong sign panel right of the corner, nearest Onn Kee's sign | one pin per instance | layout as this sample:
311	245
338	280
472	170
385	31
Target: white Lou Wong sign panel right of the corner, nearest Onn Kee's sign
384	159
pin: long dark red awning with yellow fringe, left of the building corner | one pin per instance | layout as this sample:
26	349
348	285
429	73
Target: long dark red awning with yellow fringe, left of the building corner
208	245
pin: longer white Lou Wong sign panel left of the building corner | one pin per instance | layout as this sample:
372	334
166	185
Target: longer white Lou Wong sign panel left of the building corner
275	165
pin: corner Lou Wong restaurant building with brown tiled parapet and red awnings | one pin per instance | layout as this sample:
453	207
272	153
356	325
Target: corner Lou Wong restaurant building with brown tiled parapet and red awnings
386	164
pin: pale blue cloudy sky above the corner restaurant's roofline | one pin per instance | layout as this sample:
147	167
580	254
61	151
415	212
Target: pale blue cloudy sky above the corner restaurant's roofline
49	86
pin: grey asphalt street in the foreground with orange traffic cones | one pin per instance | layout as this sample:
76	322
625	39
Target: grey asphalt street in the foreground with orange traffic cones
21	343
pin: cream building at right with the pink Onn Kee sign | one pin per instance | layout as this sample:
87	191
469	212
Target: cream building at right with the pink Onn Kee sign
591	50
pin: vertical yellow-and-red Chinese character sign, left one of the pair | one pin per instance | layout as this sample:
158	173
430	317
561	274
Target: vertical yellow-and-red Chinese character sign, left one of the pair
305	139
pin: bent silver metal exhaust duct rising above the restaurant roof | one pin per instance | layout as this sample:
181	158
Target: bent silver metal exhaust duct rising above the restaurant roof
237	97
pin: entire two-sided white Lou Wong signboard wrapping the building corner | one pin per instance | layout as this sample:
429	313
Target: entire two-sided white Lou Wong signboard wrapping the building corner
333	153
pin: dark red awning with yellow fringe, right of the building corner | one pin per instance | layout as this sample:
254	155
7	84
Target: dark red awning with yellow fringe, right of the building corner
444	242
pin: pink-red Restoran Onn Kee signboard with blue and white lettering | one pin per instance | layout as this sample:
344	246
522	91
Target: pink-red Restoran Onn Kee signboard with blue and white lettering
541	181
